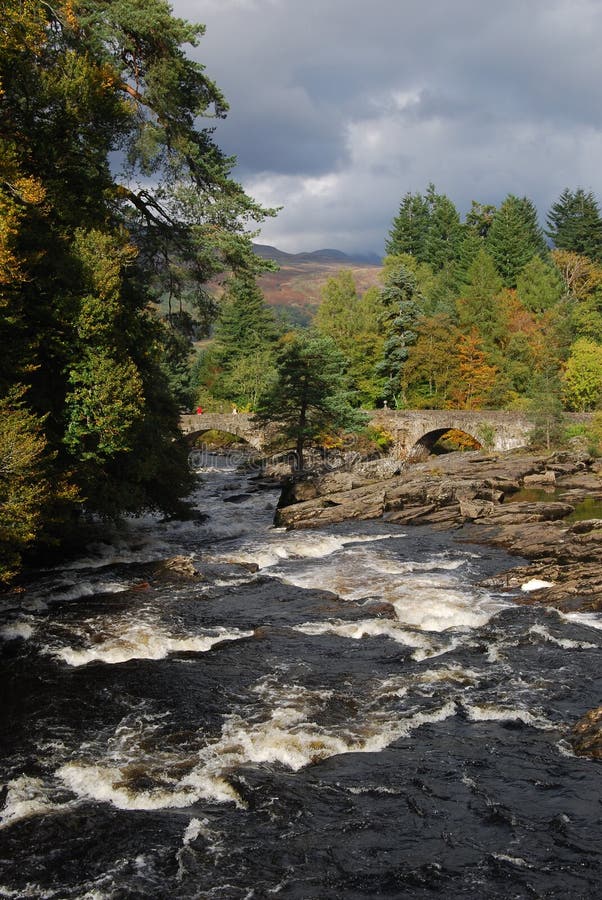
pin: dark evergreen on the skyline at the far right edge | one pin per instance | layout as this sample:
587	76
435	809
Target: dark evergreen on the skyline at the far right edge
575	224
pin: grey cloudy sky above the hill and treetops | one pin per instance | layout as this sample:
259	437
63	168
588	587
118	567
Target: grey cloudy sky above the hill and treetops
338	107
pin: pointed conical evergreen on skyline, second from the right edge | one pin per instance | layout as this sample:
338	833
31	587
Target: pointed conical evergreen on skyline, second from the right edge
514	237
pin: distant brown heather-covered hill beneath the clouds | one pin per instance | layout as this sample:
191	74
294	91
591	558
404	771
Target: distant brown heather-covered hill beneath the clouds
297	286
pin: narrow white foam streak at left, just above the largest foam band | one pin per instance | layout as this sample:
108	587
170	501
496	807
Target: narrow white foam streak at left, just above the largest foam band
144	640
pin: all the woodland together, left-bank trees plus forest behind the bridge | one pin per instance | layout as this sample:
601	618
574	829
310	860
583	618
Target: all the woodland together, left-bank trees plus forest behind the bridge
119	214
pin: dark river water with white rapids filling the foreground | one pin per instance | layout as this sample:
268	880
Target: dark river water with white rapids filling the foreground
274	734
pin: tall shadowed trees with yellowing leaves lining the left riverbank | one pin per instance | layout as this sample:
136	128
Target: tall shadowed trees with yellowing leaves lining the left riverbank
93	370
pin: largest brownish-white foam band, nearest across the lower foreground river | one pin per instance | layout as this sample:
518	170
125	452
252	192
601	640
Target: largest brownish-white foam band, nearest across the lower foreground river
283	733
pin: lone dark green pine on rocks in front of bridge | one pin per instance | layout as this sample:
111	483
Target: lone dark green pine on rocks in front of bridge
309	395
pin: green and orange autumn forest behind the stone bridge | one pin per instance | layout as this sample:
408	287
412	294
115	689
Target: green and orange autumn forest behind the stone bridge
489	312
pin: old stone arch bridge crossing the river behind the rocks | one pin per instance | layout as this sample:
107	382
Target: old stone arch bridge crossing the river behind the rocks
414	431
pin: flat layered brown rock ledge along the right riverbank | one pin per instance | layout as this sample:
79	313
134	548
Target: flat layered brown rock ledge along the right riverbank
472	493
